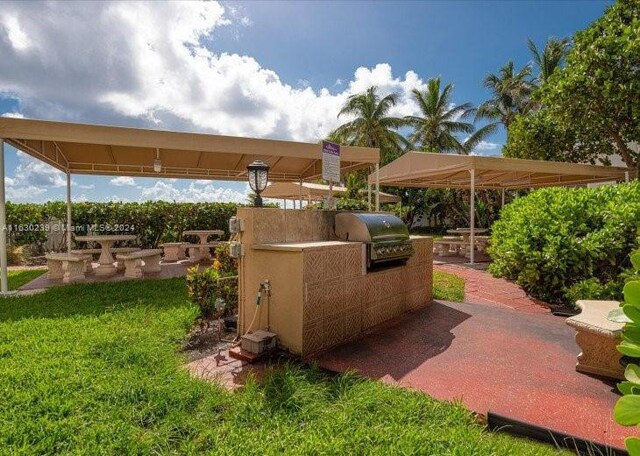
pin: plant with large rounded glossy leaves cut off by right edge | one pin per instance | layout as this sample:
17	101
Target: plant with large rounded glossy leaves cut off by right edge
627	409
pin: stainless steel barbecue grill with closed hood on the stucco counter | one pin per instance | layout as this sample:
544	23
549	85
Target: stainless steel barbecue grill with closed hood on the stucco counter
386	237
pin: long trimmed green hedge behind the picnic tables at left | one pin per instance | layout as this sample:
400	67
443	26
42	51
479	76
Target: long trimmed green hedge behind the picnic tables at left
153	222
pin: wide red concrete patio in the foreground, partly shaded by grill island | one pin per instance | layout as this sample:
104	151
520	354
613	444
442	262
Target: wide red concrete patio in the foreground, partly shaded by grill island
516	363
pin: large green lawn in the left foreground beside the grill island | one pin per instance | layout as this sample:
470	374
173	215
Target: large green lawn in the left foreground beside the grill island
95	369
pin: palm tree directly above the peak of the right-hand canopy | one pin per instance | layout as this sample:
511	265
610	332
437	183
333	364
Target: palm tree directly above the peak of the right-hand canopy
440	122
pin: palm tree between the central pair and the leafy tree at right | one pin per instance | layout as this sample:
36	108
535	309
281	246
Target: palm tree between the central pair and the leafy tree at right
511	95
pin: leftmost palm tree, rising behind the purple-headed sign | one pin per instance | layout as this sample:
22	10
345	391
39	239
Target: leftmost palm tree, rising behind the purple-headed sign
371	127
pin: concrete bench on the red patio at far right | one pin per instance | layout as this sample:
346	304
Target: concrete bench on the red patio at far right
597	337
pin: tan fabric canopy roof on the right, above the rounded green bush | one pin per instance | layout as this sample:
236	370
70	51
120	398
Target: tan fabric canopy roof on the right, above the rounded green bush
424	169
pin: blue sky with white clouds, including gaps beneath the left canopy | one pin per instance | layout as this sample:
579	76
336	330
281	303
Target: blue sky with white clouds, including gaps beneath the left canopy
257	69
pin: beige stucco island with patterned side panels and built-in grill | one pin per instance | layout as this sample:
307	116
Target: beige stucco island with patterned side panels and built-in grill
320	291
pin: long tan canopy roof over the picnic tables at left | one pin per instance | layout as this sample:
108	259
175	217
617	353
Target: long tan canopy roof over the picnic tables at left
120	151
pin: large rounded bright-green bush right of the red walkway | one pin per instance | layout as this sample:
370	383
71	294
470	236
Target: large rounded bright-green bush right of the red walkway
558	240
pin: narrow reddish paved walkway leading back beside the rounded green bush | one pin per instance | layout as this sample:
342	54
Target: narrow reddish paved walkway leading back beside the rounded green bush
482	288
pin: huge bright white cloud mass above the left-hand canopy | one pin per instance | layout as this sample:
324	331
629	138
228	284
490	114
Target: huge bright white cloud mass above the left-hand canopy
145	63
